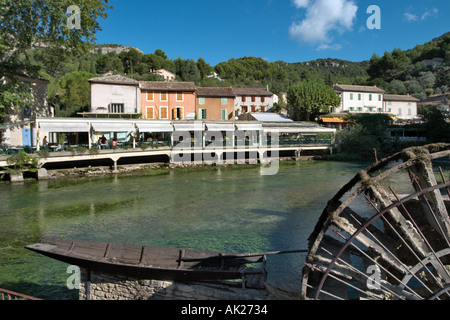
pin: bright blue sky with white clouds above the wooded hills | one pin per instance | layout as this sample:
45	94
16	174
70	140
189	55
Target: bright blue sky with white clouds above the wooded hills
287	30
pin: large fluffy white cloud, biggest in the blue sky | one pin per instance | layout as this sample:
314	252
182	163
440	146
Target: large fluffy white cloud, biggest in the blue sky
323	17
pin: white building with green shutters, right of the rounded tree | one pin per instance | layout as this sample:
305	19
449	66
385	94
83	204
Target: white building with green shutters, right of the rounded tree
359	99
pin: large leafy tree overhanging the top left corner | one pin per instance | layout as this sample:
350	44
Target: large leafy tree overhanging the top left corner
28	24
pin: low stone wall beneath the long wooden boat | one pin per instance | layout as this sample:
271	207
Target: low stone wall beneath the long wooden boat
112	287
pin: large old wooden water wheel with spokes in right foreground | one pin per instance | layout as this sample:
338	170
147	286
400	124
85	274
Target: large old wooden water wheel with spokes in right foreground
386	233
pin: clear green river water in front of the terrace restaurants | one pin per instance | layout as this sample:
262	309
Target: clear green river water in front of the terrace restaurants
230	209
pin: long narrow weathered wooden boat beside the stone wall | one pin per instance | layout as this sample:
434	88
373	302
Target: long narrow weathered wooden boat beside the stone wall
147	262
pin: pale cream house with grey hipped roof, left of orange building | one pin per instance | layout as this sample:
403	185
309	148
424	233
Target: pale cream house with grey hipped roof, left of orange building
115	96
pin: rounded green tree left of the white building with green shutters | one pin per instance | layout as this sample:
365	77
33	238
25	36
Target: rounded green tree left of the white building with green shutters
309	97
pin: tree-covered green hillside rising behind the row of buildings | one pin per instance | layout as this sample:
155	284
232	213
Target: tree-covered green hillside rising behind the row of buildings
420	71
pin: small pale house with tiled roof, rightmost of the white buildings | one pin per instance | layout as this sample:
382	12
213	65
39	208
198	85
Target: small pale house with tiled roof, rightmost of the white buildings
403	107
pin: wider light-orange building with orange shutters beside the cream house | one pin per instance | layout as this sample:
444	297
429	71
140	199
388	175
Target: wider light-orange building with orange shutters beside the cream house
168	100
